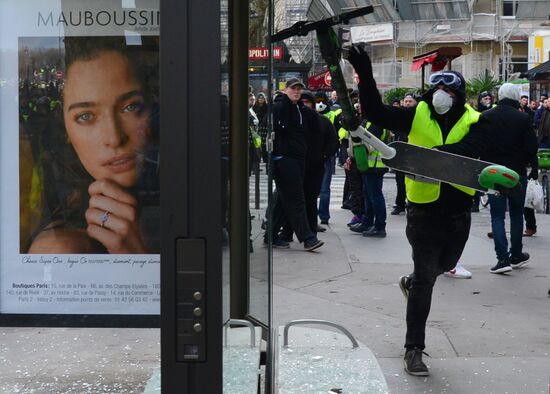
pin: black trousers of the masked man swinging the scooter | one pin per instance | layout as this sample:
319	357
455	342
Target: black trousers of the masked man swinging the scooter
437	242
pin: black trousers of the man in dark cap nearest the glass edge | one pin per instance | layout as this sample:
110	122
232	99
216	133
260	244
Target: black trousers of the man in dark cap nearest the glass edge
290	204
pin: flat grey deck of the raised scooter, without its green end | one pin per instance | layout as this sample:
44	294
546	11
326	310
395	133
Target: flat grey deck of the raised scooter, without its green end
437	165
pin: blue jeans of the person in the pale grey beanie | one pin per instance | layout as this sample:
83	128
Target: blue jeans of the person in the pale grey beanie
498	213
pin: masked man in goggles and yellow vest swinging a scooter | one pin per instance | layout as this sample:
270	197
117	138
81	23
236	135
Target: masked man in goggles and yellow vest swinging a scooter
438	215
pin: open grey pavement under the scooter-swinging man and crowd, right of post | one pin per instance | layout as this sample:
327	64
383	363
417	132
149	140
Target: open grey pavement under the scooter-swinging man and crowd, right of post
488	334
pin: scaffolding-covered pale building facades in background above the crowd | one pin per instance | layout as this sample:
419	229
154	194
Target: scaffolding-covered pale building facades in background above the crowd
492	30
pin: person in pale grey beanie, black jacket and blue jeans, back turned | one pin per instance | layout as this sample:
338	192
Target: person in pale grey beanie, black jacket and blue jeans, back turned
516	149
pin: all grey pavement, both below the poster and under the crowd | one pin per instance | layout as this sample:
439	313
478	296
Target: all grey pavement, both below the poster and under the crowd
488	334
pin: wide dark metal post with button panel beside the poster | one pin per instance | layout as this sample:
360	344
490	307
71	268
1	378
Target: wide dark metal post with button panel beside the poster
191	241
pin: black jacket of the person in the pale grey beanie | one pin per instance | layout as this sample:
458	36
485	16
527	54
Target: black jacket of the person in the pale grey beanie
516	143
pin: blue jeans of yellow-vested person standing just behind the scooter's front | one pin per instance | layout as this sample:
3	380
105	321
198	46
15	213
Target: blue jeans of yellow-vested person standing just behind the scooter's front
375	205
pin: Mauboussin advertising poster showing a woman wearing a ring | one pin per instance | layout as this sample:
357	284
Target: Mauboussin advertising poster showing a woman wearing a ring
79	157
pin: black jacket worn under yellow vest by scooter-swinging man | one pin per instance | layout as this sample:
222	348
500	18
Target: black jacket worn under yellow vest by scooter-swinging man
451	200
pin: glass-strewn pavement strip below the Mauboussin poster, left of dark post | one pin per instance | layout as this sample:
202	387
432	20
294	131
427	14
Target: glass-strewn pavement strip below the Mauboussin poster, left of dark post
77	360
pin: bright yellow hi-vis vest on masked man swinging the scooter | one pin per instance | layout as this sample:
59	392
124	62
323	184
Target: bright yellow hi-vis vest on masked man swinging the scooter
426	132
